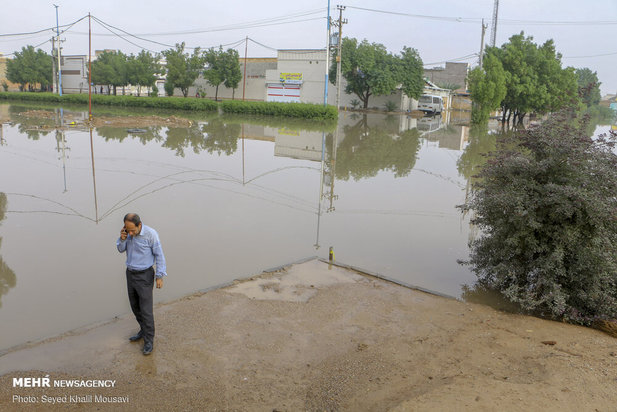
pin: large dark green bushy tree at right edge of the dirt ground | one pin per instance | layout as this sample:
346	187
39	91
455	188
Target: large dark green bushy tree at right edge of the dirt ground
547	210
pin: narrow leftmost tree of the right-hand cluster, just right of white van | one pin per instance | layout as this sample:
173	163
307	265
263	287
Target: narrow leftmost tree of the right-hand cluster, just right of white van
487	85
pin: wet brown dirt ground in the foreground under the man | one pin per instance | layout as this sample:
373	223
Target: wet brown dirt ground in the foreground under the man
318	337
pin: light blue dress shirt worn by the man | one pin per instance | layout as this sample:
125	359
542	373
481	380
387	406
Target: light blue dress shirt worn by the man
143	251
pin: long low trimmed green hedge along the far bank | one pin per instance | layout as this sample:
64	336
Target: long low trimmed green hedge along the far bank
298	110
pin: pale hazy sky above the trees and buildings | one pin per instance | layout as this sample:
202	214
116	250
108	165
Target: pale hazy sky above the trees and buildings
441	30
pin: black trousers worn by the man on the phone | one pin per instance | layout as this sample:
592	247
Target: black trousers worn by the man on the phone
139	286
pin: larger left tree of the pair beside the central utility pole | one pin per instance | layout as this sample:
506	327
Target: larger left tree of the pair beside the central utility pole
368	68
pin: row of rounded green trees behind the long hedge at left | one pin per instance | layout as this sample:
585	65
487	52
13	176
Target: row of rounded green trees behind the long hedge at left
116	69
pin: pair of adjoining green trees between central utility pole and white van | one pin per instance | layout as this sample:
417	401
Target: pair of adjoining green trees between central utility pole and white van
371	70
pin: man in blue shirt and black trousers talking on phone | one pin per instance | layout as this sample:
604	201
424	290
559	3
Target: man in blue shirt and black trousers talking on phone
143	251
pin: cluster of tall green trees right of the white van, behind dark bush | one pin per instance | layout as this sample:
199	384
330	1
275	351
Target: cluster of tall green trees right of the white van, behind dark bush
521	77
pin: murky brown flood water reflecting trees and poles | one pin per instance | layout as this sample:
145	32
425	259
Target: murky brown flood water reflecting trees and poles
230	197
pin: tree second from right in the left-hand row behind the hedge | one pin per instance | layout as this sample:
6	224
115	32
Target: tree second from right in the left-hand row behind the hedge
182	69
